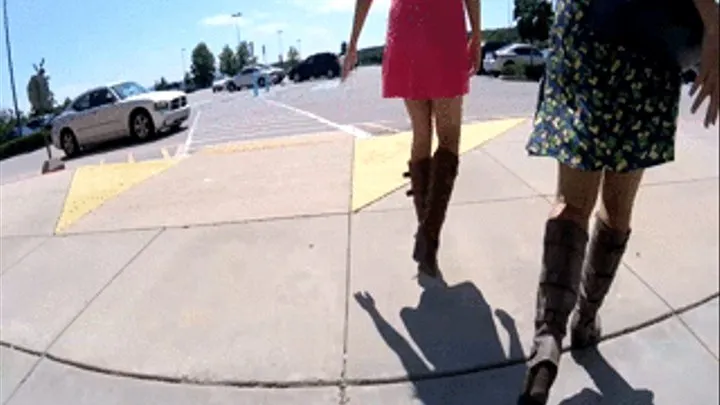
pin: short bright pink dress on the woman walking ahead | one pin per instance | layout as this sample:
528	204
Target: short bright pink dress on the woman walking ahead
426	53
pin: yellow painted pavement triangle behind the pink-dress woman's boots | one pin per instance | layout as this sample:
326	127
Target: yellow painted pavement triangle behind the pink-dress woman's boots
380	161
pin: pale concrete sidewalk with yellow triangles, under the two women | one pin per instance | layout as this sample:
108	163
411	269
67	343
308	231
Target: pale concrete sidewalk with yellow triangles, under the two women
280	273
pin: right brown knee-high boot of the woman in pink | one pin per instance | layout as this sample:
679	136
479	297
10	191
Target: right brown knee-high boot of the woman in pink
444	170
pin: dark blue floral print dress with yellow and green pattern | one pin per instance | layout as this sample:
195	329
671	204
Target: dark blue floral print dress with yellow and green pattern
603	107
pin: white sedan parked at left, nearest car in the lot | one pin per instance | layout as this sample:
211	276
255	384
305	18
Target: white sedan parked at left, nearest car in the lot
111	112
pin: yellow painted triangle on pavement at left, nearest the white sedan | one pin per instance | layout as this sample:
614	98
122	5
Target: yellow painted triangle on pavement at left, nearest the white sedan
93	185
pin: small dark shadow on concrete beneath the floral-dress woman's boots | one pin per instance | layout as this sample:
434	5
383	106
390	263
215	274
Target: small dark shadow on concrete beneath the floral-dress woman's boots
613	387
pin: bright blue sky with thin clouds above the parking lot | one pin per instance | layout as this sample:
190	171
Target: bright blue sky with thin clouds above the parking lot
90	42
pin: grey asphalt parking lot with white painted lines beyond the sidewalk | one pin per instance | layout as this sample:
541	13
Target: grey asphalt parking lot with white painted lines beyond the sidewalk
355	107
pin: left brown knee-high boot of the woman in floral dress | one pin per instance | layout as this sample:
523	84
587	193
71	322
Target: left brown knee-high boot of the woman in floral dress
564	250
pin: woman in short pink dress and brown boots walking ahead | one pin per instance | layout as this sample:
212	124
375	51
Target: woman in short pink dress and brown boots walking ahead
428	62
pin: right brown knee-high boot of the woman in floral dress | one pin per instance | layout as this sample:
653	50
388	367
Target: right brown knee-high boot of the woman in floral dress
605	252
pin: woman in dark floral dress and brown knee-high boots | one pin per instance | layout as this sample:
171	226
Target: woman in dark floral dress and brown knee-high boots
606	114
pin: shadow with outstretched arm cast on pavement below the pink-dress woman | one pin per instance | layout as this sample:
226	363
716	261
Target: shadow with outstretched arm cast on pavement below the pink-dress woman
453	327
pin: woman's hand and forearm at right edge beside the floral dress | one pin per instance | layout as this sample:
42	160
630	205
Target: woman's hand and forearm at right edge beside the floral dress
707	80
